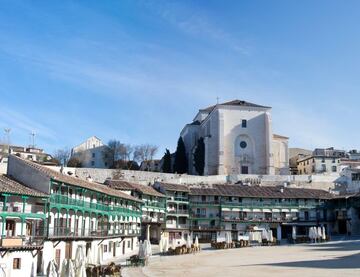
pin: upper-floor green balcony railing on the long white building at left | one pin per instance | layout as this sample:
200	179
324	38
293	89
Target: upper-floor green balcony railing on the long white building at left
65	200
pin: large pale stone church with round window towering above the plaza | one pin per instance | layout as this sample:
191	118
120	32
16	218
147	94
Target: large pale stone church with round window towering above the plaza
238	139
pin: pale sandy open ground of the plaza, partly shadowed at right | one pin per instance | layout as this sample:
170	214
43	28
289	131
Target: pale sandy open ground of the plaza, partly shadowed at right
340	258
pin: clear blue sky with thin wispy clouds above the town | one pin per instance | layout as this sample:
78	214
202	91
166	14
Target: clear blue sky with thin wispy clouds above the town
139	70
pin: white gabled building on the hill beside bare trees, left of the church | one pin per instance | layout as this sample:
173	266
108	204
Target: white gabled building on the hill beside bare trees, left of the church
93	153
